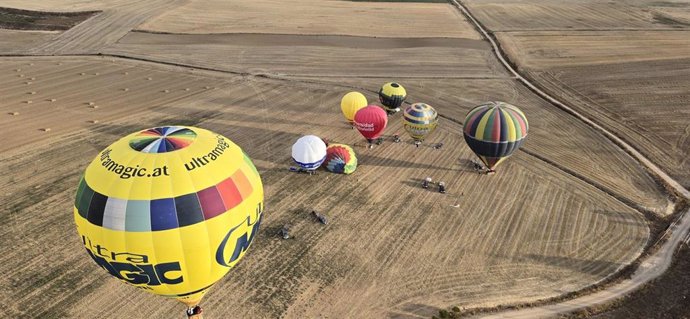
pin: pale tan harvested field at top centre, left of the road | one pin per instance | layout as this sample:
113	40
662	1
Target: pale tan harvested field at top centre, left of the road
332	17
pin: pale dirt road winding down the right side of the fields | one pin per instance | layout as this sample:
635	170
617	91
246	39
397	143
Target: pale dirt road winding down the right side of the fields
650	268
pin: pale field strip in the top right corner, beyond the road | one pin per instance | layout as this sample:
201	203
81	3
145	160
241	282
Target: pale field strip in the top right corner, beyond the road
524	15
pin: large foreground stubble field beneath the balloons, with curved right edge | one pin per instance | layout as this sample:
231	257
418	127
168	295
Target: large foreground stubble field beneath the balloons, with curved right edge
548	233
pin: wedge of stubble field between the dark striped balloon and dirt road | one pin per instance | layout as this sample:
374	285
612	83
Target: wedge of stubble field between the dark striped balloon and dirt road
558	139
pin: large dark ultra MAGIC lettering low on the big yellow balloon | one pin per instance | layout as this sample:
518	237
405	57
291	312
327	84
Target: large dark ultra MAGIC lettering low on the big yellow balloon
133	268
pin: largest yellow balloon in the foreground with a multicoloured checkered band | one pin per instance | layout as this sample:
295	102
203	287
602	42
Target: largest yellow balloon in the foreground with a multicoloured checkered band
169	209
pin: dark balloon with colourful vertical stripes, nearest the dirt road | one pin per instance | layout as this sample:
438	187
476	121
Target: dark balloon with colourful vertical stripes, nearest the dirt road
494	130
